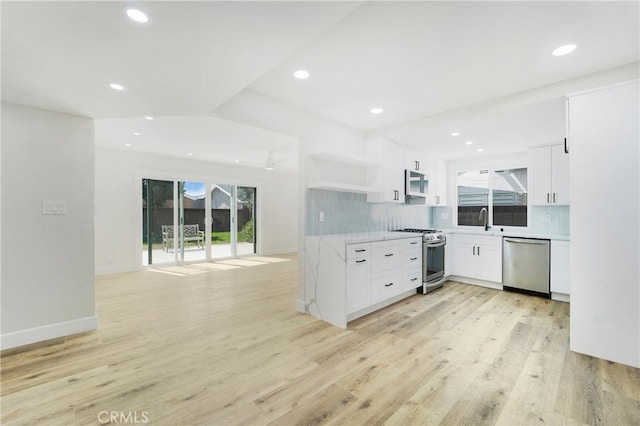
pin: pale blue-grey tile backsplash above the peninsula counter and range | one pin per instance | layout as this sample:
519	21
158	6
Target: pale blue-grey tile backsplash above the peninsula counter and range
346	212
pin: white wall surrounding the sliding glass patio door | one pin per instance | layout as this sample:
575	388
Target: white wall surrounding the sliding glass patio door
118	202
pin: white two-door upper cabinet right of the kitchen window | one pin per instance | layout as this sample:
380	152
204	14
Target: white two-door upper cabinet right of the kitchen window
549	184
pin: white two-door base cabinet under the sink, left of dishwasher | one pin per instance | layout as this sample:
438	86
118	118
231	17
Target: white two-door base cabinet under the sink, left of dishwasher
478	257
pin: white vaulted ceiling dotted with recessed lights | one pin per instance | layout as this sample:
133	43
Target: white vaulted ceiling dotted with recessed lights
217	76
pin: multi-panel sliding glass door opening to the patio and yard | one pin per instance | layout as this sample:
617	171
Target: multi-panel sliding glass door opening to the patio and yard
197	221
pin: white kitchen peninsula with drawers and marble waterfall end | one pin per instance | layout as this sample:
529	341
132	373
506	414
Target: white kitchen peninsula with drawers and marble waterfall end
350	275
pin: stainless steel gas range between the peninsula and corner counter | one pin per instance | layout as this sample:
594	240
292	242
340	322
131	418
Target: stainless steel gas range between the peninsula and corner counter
433	242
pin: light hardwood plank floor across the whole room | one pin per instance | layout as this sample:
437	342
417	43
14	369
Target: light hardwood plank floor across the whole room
222	343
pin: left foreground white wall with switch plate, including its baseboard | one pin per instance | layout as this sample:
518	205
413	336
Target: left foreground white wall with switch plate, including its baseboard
48	286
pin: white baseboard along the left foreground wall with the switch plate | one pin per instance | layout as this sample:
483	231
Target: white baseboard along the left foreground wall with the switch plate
46	332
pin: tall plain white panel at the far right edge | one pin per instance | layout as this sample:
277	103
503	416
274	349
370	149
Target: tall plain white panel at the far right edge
604	127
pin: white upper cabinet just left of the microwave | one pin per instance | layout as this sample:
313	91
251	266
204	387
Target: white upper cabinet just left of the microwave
387	181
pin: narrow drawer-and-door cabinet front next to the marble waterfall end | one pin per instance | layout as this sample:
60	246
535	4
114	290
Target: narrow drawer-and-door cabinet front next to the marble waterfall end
358	276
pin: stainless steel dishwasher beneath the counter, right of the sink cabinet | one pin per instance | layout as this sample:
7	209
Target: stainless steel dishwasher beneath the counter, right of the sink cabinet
525	265
